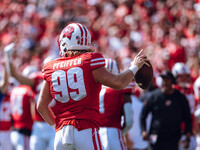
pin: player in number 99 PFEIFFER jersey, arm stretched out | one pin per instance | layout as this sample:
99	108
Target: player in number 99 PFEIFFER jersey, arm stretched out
74	81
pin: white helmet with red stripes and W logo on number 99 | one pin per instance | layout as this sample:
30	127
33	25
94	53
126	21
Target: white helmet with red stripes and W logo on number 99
74	36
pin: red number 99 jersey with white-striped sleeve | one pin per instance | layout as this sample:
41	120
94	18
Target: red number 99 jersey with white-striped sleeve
74	88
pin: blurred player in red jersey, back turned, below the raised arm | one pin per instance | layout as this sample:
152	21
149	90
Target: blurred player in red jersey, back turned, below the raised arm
22	109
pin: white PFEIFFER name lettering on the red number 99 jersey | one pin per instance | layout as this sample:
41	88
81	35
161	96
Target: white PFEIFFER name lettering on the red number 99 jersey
67	63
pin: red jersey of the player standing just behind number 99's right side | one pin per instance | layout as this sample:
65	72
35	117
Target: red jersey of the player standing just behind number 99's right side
111	106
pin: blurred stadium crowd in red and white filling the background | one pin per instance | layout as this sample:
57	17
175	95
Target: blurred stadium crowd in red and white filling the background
167	30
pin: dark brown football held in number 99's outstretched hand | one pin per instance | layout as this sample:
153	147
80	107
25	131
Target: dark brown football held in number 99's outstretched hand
144	76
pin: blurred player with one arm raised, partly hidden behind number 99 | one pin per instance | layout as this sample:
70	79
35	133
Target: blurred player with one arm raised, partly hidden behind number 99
42	135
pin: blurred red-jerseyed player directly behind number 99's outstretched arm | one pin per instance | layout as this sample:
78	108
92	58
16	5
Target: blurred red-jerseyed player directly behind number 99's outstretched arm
113	106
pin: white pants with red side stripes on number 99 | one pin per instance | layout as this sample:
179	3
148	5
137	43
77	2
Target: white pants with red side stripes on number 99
69	138
